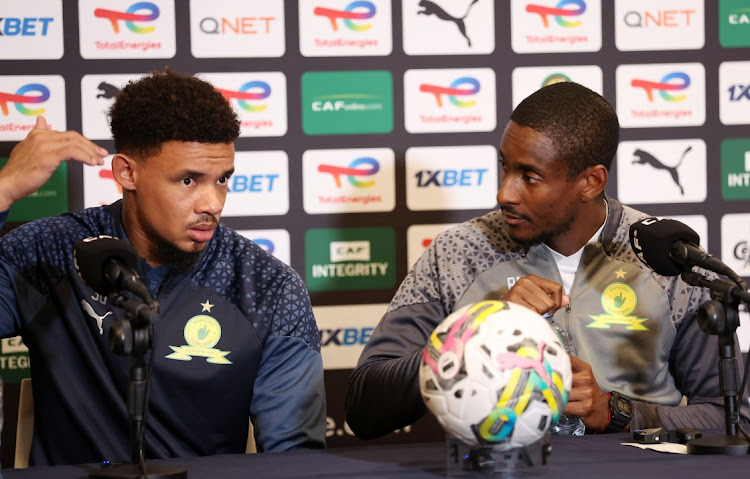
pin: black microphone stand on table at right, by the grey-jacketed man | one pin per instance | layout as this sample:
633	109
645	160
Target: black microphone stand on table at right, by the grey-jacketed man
720	317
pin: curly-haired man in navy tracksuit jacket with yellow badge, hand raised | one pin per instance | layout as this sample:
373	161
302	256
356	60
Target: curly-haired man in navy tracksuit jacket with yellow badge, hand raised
236	338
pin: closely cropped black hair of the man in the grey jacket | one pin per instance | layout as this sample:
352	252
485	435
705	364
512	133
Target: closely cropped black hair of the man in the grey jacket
582	125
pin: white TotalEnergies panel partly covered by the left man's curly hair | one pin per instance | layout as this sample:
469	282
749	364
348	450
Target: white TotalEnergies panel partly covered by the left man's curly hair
259	98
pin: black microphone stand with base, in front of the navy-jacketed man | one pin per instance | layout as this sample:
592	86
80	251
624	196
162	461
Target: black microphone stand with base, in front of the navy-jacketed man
134	337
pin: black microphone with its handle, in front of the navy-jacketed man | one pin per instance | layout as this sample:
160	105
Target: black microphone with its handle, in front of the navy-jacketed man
108	265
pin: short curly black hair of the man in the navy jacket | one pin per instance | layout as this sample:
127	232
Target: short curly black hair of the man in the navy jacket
168	106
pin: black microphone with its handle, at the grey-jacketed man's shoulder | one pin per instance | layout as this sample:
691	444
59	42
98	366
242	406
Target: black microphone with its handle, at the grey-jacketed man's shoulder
670	248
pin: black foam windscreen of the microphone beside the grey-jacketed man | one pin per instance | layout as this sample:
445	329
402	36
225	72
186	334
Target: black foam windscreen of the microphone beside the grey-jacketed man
652	238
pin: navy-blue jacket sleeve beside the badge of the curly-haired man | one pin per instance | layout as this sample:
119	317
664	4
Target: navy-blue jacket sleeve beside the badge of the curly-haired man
288	408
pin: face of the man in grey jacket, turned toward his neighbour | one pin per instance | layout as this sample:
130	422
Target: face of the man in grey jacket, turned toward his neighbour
538	201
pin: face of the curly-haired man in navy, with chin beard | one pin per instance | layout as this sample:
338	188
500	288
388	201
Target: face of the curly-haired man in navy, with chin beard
178	197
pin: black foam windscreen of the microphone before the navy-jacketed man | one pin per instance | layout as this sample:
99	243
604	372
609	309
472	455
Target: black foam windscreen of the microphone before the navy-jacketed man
91	254
